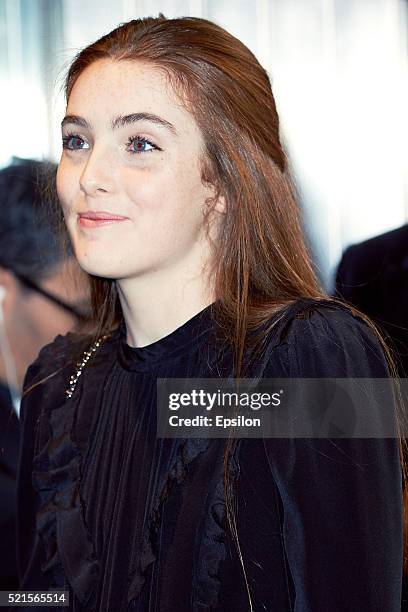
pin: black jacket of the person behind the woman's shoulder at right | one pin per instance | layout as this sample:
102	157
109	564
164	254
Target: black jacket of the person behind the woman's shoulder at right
373	276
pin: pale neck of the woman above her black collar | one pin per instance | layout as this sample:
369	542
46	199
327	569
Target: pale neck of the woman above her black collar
156	305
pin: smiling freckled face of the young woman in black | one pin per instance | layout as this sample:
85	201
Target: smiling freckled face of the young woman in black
129	176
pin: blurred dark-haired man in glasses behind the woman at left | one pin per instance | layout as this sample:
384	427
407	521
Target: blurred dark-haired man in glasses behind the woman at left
42	294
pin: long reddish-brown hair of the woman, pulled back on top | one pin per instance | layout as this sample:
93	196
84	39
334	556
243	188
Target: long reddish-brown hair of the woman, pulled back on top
260	263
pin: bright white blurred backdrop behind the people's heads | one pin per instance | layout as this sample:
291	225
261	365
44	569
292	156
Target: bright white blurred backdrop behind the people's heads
339	75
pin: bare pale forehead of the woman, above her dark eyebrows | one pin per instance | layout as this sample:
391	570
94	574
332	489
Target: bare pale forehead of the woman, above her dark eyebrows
108	88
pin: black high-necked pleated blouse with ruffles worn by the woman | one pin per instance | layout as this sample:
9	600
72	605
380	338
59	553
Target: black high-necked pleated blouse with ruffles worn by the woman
125	520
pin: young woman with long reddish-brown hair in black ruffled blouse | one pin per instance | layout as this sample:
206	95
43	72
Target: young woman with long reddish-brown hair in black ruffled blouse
177	196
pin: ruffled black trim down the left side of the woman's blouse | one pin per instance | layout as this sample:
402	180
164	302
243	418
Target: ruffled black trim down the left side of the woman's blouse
69	553
